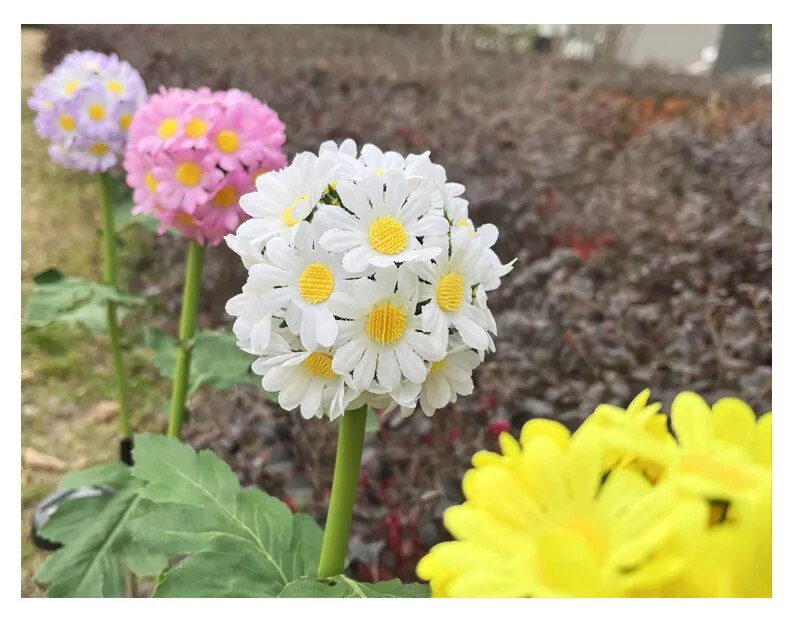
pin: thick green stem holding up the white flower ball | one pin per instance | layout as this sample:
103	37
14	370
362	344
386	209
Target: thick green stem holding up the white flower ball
344	492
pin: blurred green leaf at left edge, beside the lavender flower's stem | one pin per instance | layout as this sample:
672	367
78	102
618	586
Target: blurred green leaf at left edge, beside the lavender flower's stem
72	300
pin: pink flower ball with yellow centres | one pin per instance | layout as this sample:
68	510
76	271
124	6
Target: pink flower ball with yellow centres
193	153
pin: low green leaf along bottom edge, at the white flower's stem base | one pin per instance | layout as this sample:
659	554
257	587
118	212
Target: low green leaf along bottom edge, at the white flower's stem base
344	587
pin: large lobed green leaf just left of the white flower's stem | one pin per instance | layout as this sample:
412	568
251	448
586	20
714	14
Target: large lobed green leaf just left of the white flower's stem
239	543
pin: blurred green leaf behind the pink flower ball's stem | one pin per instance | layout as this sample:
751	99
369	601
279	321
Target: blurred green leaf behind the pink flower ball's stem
216	359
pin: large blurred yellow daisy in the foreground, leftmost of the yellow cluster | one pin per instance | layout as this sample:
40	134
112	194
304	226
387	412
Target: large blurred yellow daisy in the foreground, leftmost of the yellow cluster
542	520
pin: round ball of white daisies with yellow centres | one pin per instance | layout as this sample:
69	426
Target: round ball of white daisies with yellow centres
367	283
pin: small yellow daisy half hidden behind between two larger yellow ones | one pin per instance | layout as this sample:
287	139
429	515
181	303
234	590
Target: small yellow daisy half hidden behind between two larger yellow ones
640	418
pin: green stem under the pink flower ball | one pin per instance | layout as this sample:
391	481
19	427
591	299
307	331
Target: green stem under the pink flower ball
186	333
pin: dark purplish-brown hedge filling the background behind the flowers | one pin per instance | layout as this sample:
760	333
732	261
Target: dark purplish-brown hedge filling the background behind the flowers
637	203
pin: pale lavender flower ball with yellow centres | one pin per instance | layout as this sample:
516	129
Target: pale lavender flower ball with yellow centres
84	109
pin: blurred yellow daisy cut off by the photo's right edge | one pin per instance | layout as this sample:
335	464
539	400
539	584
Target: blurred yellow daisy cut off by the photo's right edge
724	459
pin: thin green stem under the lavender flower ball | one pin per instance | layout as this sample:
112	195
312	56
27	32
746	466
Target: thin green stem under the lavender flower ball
111	279
